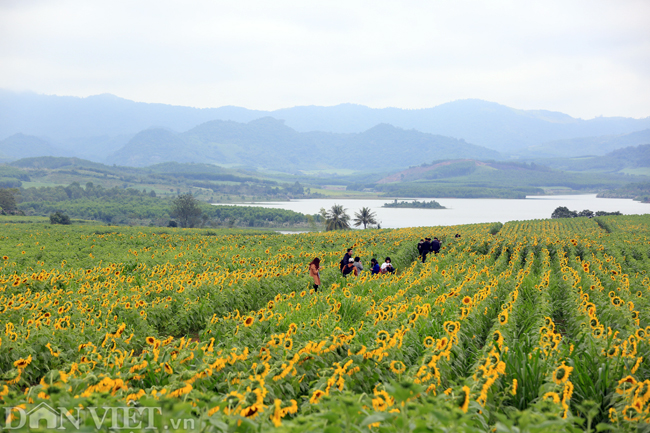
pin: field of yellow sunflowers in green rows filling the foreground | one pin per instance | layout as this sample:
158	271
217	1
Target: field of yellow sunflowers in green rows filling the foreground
542	326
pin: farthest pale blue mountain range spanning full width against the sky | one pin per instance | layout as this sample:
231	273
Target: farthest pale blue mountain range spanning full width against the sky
96	126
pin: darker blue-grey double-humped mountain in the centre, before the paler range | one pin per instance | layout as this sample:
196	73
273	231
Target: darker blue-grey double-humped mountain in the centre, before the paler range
270	144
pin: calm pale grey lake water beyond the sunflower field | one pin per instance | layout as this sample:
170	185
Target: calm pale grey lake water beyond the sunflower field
467	211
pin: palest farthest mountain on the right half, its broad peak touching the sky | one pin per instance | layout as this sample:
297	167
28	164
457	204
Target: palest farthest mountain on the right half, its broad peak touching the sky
480	122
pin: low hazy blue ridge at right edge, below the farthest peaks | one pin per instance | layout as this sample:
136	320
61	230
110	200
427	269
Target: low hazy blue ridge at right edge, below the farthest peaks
587	145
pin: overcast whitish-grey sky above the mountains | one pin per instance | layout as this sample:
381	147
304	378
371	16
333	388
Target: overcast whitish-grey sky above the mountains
583	58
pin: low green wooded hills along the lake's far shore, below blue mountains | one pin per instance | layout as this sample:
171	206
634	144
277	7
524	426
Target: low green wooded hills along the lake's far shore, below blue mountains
209	183
